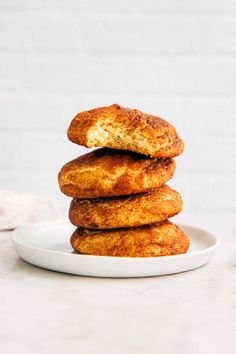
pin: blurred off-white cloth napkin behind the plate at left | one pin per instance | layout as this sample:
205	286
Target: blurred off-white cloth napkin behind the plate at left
17	209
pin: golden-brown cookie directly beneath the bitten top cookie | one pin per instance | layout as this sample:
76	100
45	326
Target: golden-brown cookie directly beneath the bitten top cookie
108	172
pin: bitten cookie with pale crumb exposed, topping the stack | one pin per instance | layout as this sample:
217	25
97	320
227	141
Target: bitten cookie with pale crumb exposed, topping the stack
122	128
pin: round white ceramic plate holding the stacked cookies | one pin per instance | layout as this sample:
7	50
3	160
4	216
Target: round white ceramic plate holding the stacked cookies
47	245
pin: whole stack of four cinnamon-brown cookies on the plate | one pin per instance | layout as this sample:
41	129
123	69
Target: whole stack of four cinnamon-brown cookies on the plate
121	204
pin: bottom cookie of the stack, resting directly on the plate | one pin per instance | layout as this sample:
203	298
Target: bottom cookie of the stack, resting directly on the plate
156	240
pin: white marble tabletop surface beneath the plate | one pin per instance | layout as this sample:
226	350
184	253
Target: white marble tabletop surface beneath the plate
193	312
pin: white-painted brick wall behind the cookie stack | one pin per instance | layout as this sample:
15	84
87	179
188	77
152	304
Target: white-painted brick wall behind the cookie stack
173	59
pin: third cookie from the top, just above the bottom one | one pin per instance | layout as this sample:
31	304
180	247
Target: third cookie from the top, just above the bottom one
127	211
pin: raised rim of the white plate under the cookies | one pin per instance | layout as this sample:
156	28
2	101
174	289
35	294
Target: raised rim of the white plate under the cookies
15	232
